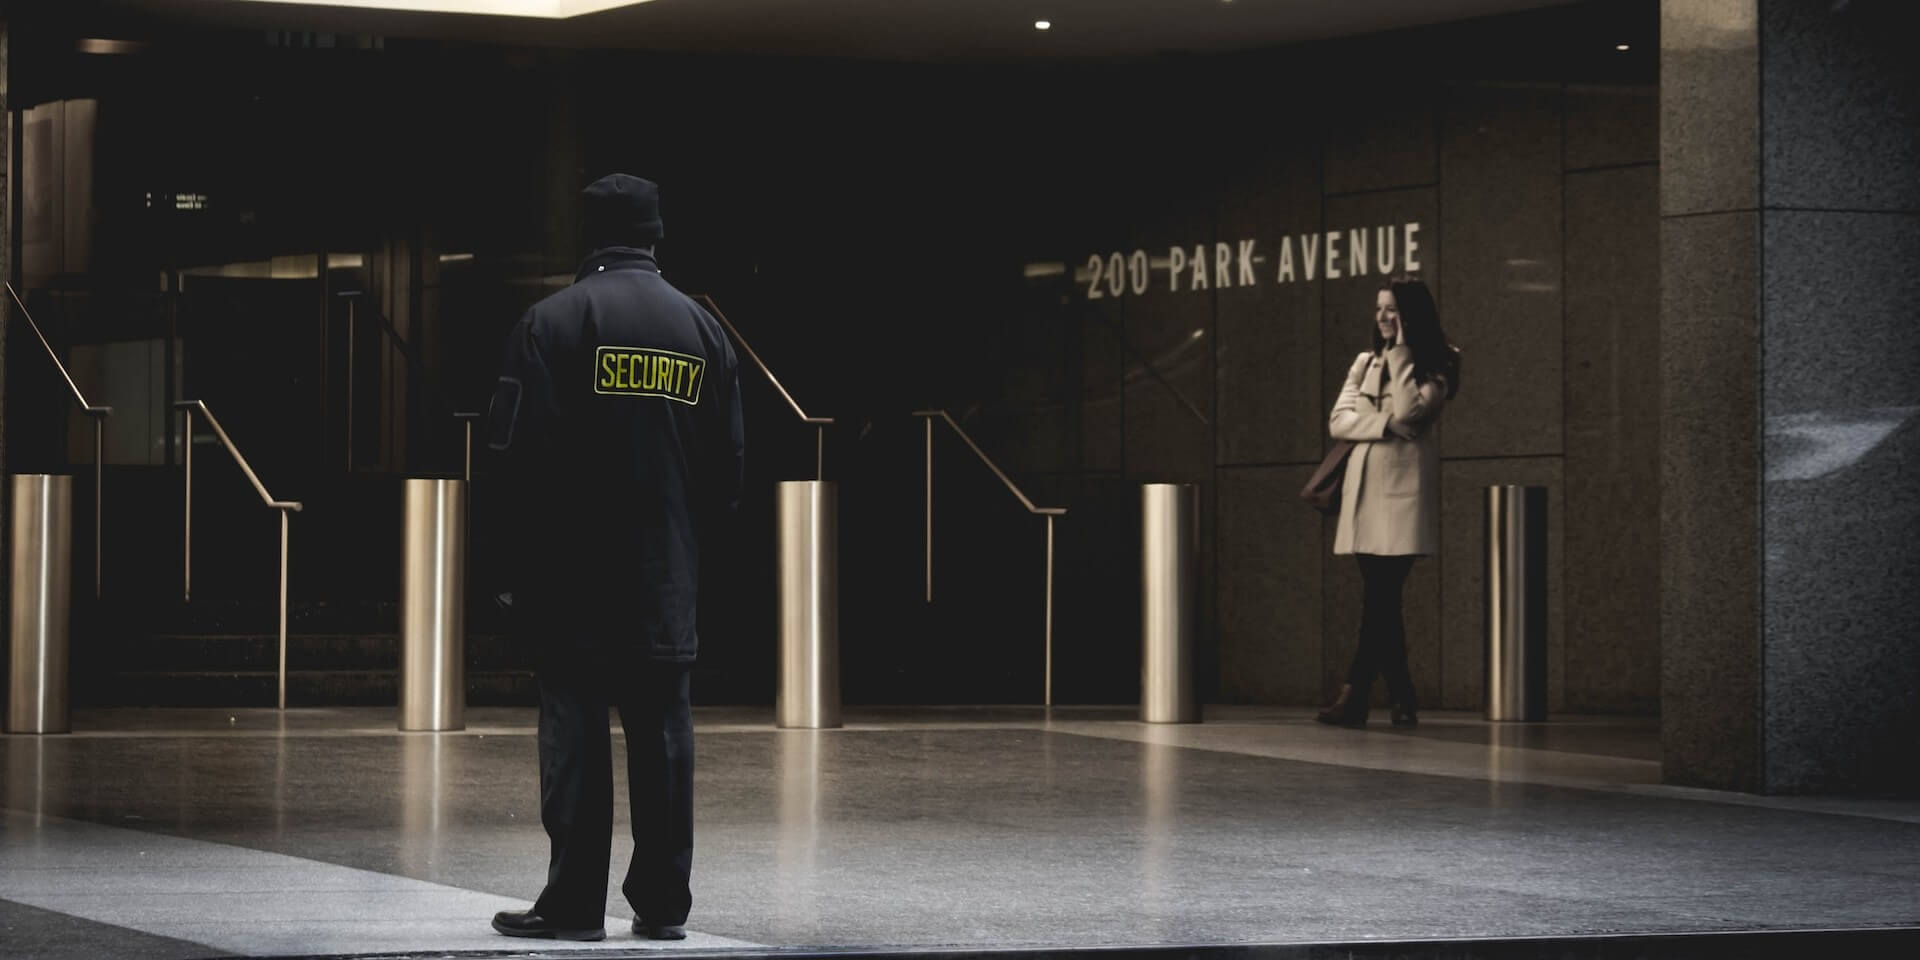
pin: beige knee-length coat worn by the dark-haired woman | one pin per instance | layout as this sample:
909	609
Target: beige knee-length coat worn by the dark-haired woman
1391	500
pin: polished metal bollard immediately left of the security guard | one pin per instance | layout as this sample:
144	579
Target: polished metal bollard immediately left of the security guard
433	617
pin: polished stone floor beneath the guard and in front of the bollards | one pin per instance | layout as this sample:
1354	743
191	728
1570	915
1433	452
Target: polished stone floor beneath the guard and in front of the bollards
251	832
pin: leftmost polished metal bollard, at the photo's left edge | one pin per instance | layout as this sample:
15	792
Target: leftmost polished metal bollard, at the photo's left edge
43	604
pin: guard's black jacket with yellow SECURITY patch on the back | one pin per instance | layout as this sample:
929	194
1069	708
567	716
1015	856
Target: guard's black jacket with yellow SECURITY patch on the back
619	435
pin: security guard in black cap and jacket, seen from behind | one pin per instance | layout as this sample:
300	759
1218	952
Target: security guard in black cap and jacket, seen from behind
619	437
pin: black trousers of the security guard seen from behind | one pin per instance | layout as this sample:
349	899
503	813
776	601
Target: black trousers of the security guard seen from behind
577	786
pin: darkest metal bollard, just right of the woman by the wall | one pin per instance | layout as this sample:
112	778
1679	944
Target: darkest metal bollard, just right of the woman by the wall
1518	604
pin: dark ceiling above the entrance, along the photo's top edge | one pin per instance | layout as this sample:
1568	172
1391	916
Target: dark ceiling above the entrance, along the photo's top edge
865	30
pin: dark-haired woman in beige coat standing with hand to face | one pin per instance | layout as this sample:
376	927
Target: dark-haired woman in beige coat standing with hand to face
1391	498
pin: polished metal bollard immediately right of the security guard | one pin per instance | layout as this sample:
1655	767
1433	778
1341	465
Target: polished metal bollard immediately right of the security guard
809	606
